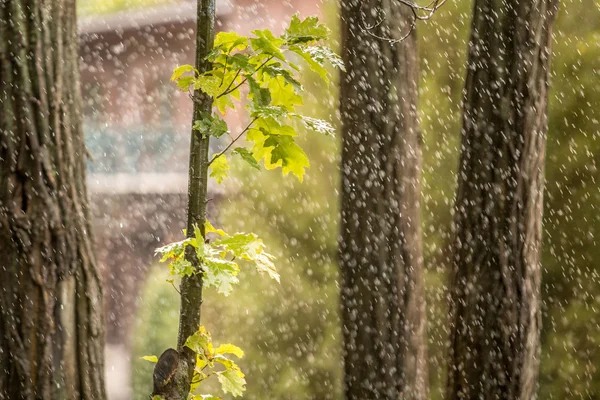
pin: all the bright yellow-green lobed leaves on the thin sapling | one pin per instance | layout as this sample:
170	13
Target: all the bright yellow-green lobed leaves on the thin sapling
257	64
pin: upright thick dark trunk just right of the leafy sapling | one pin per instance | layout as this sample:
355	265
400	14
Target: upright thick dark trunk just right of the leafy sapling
382	298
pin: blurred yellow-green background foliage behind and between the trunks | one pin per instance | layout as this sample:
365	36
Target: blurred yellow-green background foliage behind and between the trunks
290	331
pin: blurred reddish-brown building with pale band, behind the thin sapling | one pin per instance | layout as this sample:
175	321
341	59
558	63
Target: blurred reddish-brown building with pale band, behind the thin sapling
137	127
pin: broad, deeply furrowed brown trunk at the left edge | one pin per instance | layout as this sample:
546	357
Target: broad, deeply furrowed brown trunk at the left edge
51	324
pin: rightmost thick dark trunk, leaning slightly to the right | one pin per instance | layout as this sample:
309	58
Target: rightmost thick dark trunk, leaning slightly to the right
495	289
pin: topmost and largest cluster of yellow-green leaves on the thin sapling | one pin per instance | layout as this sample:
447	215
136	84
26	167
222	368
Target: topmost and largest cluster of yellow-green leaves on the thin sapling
260	64
